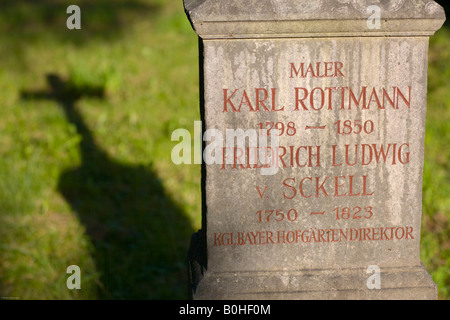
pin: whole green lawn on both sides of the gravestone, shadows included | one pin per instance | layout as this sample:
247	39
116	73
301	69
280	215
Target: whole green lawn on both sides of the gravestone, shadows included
86	176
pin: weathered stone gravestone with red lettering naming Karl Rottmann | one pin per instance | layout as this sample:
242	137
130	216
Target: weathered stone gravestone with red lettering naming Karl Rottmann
327	203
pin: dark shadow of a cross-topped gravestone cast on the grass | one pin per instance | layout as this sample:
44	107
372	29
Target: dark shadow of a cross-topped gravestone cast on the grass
140	236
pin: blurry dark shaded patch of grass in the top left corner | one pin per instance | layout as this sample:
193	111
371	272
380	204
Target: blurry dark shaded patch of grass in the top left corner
24	24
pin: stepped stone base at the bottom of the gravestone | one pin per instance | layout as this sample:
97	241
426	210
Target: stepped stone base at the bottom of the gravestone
403	283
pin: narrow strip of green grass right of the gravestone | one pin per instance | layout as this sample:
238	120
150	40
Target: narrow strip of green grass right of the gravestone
435	242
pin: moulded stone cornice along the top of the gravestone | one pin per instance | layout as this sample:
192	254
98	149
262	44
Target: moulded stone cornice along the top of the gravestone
255	19
